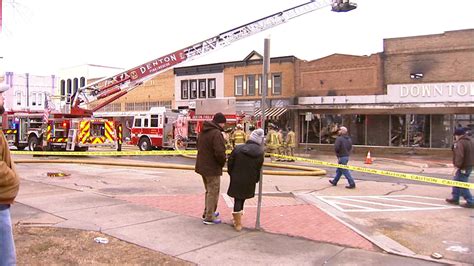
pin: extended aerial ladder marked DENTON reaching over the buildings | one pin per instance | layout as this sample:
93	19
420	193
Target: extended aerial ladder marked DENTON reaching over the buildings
111	88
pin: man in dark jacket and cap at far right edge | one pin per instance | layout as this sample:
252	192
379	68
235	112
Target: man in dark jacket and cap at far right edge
463	161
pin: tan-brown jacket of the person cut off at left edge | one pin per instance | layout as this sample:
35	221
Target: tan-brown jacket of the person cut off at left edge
9	179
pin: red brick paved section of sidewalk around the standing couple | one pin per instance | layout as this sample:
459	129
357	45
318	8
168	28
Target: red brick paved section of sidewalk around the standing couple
280	215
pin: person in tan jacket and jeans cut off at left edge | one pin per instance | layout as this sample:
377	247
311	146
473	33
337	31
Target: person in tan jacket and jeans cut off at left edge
9	186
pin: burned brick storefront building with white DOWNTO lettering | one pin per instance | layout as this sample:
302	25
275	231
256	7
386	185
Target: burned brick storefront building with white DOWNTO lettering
413	94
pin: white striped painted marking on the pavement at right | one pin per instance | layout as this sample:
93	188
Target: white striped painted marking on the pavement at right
379	203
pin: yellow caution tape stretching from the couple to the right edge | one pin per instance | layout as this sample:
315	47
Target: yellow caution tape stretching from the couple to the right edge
433	180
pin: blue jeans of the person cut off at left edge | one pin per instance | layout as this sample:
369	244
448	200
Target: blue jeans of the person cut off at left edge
7	246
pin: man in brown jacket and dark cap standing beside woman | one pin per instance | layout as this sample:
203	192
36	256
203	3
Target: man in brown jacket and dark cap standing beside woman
210	159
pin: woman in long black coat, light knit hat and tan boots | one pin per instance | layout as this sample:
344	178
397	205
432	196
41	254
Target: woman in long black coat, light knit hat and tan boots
244	166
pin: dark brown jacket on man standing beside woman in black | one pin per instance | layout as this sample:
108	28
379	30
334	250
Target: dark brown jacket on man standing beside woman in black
211	150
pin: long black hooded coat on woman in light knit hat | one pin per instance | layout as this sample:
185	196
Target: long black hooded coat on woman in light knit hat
244	165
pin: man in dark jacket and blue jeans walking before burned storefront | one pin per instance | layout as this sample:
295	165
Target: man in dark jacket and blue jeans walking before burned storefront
343	148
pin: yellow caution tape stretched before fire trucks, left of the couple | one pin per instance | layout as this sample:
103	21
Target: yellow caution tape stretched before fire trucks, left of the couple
103	153
